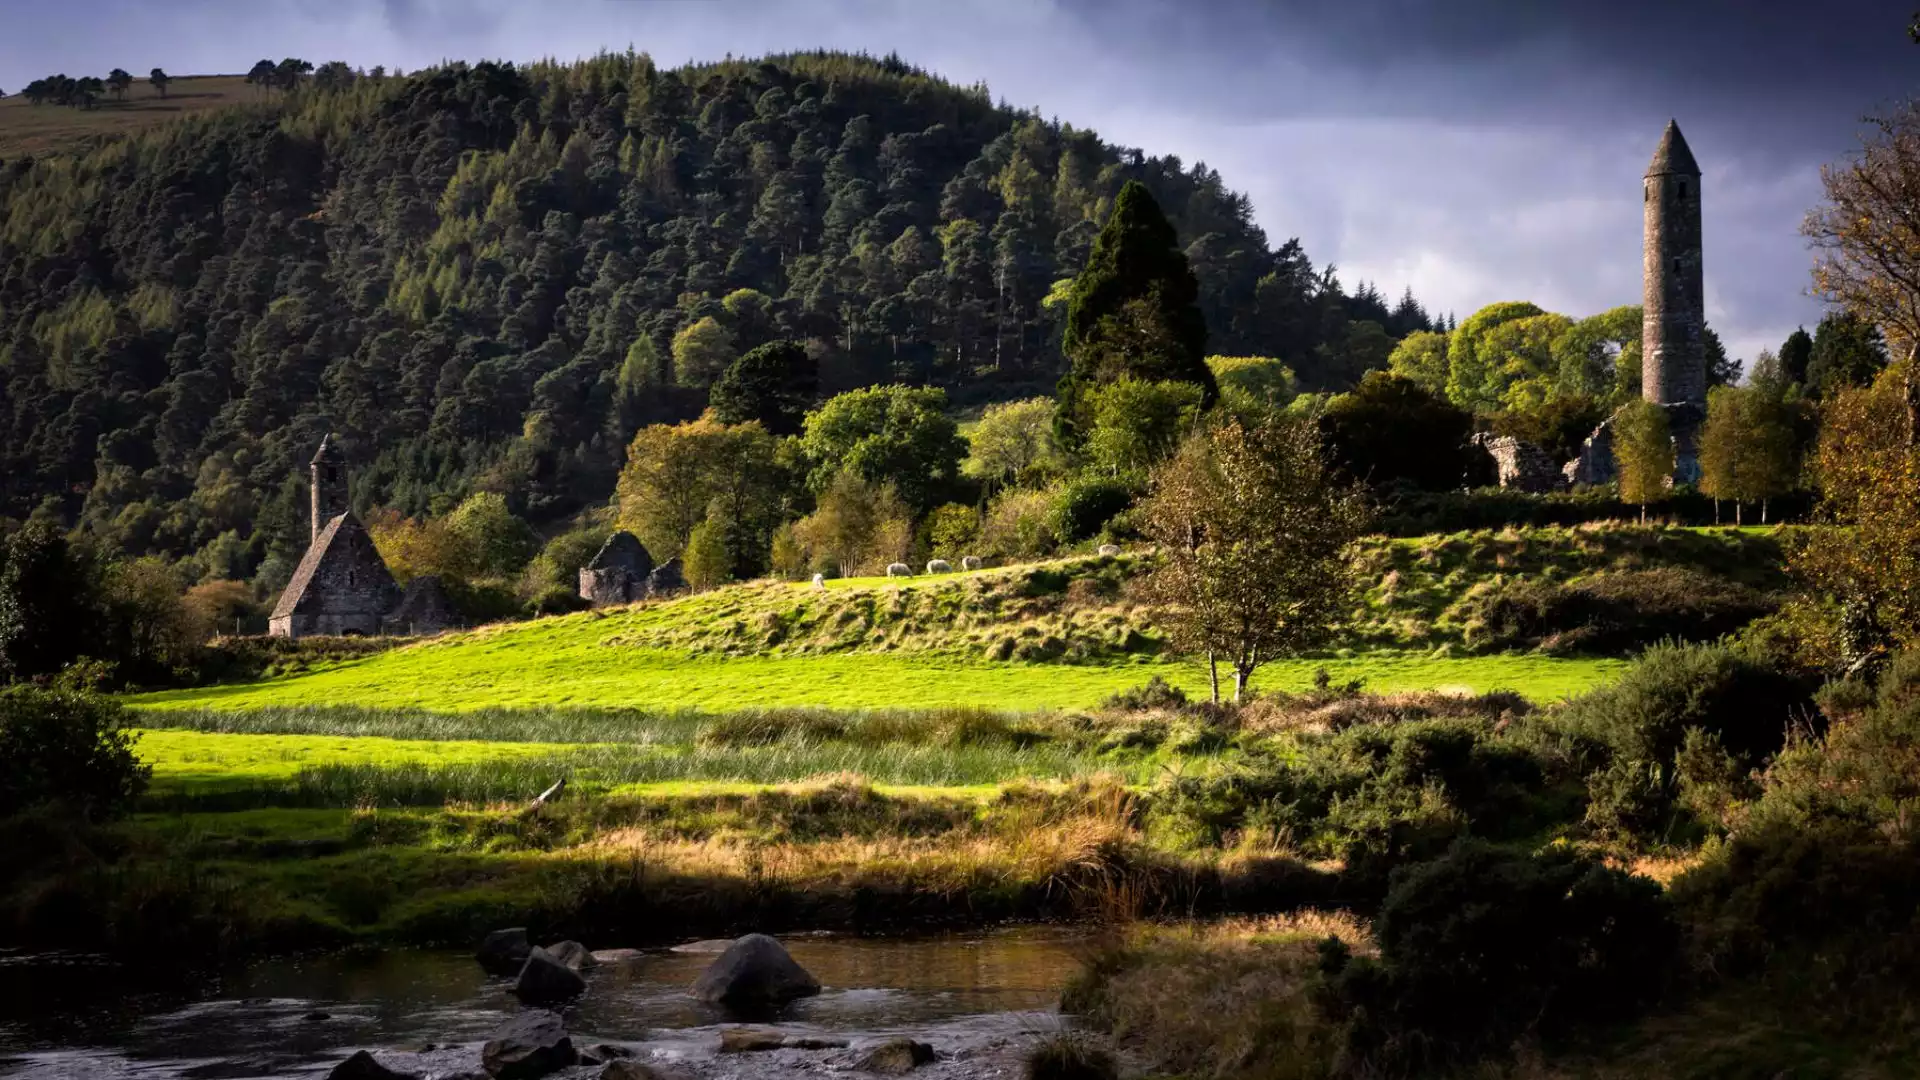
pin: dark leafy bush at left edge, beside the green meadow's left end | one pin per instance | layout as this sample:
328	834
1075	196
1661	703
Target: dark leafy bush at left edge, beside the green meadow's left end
60	747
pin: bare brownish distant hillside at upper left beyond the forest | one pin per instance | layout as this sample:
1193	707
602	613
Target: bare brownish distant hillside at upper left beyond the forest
28	130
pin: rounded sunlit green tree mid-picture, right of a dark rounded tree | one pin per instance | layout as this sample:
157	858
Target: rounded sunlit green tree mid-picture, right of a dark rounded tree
886	435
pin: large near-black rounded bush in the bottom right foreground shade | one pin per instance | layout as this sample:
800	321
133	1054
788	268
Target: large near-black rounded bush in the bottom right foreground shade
1483	946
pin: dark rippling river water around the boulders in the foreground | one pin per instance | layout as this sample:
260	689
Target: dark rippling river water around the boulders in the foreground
976	998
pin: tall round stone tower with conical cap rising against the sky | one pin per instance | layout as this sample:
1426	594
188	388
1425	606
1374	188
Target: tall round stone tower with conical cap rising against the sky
1675	322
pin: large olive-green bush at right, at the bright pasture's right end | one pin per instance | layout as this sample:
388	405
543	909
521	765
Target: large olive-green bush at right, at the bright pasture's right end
1633	733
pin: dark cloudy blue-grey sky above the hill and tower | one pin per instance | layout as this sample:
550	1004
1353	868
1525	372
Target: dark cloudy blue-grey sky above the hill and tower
1474	149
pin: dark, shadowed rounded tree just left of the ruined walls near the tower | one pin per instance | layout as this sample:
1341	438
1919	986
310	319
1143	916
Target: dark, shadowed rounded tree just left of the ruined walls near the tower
1395	431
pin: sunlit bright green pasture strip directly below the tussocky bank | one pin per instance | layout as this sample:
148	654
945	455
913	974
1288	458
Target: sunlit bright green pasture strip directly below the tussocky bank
550	664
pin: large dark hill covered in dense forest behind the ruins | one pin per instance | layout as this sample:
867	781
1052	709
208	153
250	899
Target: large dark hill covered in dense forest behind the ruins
485	278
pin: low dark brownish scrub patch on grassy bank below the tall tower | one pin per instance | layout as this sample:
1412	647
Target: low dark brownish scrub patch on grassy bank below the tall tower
1612	612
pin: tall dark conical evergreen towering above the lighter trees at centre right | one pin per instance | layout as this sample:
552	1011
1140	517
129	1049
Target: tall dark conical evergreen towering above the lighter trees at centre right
1134	312
